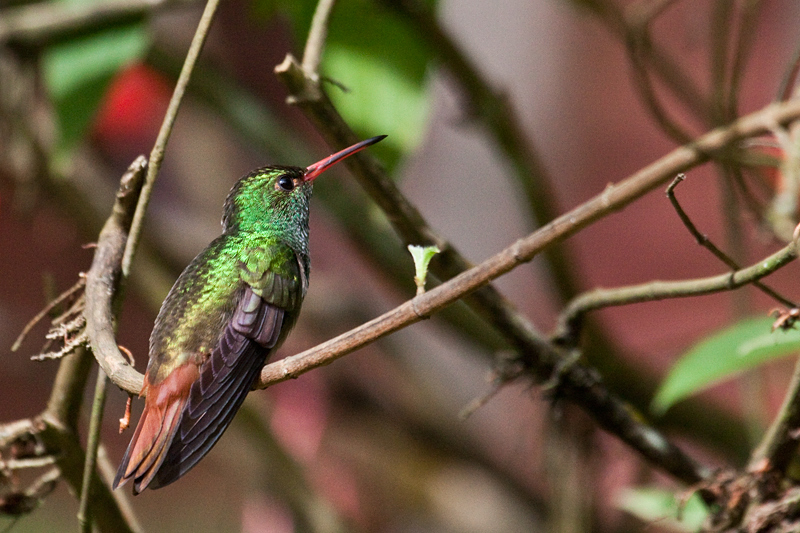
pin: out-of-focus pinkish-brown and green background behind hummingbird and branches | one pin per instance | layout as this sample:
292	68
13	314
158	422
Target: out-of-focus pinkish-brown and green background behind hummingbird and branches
374	442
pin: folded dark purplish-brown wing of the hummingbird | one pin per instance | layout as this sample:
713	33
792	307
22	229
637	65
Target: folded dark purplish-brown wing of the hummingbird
225	379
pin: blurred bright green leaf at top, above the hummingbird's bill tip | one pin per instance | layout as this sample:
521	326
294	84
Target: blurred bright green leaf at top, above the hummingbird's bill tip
379	59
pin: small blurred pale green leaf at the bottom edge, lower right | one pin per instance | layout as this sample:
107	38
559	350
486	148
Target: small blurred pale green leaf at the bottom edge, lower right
659	505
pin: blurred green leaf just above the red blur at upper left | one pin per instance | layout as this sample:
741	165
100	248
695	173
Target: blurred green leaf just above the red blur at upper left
77	73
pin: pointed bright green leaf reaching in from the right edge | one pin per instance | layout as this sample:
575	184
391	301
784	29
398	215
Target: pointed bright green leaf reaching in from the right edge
722	356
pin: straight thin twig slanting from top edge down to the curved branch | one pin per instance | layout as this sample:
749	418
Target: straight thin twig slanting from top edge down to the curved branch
157	154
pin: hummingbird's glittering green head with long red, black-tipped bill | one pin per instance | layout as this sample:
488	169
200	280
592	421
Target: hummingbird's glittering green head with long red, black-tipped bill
275	199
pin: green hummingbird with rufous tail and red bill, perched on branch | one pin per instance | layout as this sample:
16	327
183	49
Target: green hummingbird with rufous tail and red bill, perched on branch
231	307
